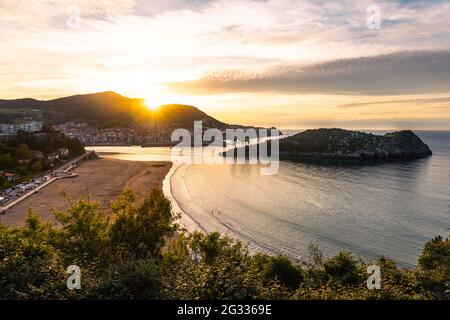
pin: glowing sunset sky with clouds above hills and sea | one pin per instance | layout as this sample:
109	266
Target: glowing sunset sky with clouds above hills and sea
287	63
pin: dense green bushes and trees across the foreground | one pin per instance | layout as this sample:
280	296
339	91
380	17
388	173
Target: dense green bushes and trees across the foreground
139	252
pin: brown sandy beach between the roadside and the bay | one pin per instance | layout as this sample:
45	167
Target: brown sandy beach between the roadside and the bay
102	179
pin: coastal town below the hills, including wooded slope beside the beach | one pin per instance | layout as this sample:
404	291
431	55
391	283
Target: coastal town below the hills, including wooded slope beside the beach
30	159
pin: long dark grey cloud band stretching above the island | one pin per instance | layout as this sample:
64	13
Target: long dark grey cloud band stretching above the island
391	74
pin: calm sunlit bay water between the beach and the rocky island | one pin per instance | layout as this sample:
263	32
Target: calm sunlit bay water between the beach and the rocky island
388	209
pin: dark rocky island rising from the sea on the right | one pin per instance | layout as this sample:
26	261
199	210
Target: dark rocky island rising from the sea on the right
344	144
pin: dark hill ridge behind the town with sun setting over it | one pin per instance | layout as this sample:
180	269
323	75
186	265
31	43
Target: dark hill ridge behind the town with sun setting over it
105	109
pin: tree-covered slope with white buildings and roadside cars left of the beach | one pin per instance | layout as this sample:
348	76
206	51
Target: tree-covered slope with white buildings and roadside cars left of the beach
32	156
